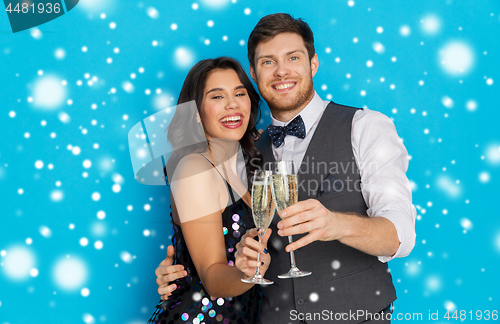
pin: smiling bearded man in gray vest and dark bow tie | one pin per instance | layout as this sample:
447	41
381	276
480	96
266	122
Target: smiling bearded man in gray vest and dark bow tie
354	211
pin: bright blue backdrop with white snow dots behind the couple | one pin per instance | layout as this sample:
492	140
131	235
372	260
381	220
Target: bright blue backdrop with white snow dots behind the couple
447	118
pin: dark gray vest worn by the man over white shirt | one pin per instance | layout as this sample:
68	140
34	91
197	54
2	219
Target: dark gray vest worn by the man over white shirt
343	279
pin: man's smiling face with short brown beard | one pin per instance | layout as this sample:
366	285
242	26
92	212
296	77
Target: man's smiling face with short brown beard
283	73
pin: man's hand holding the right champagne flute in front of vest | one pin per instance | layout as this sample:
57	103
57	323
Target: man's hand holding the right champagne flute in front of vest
309	216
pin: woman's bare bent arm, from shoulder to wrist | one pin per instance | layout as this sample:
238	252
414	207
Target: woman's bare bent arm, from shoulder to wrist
200	197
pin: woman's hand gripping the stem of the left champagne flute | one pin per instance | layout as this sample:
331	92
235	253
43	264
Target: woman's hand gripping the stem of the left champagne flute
246	253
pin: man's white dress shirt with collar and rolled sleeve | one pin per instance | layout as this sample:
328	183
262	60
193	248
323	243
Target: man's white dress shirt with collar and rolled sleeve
381	158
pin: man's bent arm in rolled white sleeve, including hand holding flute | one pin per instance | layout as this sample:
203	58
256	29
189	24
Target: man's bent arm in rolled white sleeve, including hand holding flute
382	160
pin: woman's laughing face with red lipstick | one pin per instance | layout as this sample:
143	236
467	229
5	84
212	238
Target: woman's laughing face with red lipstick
225	109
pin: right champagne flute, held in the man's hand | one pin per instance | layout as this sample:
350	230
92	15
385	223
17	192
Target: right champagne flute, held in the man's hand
285	193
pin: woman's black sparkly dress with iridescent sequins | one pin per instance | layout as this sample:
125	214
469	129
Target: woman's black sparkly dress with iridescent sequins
190	303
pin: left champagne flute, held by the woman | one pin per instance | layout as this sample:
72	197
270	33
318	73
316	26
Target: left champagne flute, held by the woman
262	212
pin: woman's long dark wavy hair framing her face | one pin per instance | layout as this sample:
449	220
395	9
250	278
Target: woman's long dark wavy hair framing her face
192	89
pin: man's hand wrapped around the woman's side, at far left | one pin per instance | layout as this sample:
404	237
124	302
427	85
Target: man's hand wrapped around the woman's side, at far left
167	272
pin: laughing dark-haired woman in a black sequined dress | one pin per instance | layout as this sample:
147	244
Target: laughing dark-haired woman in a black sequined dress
208	215
